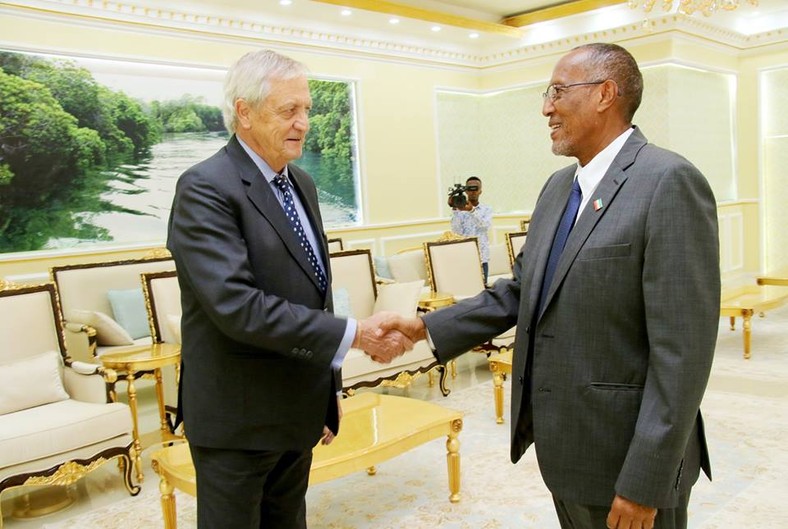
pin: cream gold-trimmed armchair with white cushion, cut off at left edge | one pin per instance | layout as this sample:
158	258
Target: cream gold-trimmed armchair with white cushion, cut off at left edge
56	420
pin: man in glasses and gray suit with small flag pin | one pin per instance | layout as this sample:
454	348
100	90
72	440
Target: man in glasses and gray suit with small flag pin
612	355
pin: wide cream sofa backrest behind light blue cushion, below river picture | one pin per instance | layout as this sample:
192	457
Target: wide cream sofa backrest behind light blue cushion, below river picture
84	286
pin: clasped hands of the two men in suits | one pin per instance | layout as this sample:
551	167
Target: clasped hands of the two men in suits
386	335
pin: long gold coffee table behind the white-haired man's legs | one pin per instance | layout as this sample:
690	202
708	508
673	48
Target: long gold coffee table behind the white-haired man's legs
374	428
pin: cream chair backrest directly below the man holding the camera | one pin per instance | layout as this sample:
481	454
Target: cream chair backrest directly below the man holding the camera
455	266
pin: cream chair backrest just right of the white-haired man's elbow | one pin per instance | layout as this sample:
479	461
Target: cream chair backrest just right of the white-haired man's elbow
352	270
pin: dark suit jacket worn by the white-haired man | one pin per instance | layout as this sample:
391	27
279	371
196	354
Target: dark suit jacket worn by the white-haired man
258	335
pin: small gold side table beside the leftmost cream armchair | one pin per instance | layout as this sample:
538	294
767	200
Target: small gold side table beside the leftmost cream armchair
144	358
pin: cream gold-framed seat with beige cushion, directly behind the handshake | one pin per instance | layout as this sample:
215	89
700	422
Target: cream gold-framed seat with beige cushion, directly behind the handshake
357	294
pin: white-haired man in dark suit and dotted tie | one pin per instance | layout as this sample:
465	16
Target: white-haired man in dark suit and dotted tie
261	348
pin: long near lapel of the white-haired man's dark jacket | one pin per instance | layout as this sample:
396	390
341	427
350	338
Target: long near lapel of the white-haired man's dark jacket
262	196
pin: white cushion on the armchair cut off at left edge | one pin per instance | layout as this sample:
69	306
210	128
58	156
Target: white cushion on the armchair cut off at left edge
31	382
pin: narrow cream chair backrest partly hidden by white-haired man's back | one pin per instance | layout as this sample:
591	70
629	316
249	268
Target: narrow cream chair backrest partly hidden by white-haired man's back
163	303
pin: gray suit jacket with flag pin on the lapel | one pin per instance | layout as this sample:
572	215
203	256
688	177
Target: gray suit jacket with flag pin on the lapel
608	380
